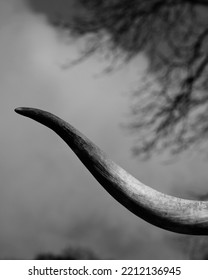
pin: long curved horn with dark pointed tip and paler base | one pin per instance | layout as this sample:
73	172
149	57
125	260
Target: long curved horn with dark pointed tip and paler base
164	211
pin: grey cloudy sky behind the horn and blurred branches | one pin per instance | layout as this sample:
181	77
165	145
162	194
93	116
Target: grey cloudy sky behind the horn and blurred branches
48	201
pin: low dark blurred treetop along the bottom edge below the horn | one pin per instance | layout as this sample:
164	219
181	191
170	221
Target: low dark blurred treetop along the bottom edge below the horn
69	254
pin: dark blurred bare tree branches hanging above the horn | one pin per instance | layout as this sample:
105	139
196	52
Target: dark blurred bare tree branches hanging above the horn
170	108
